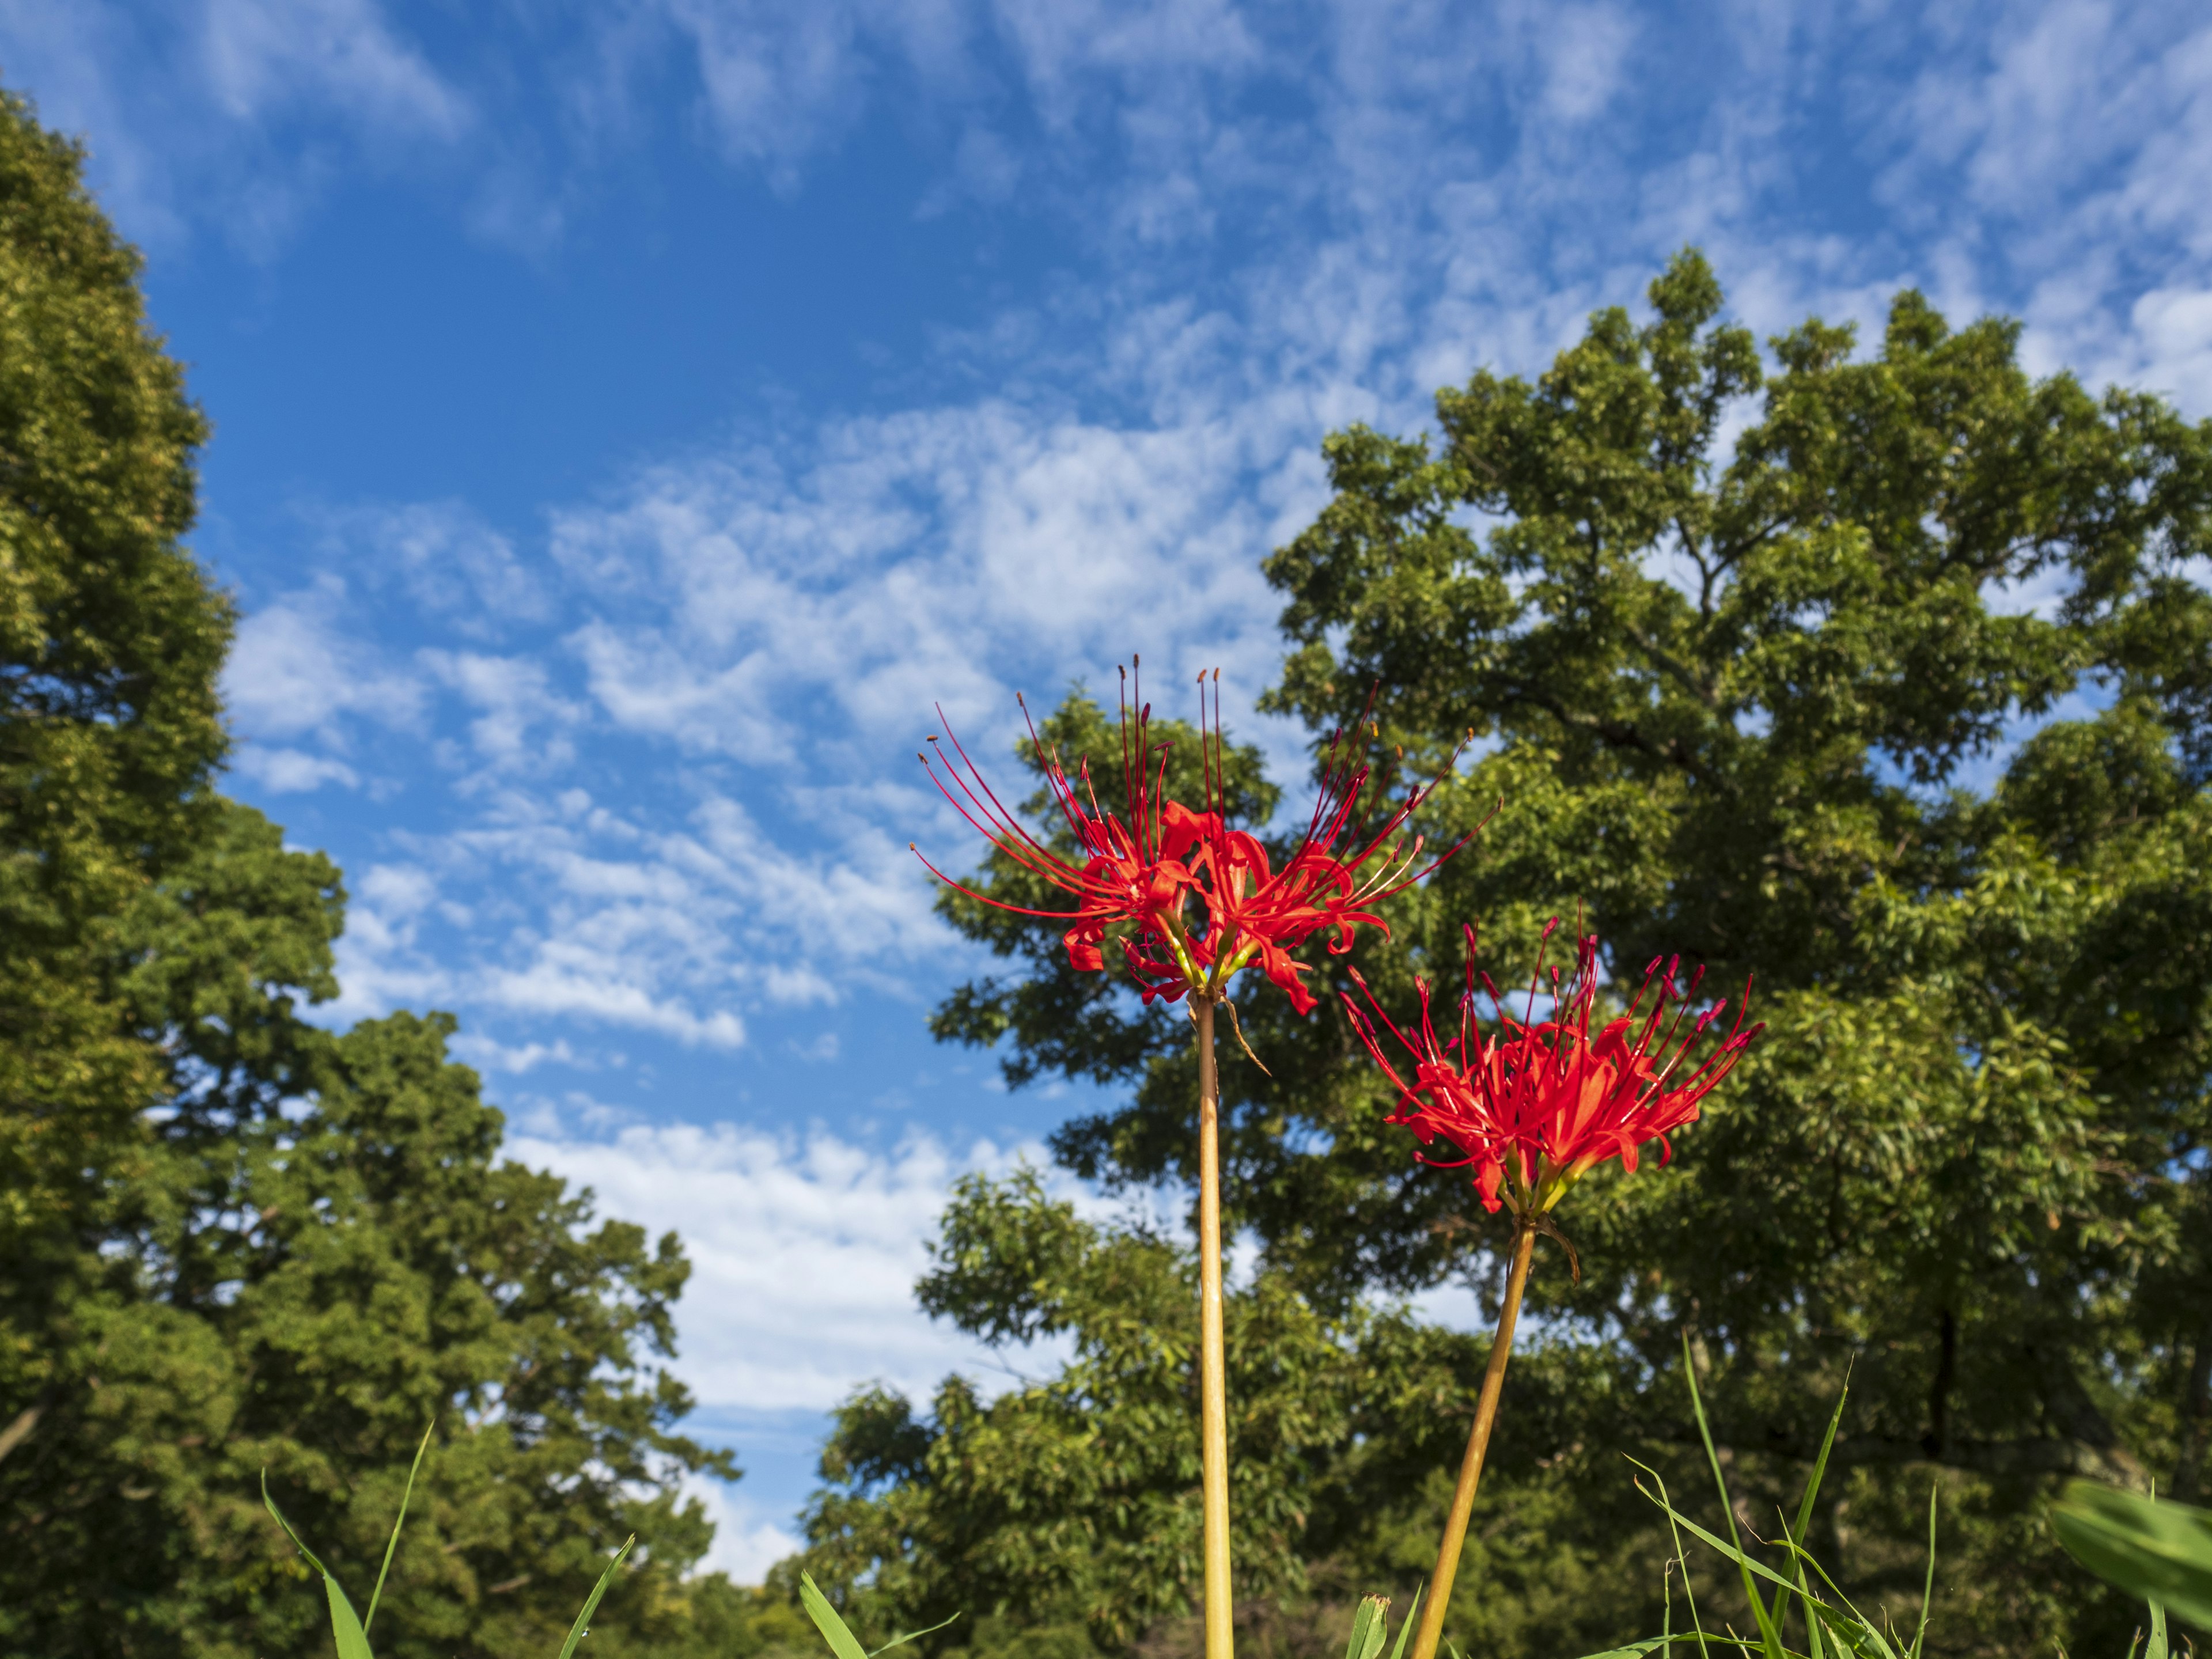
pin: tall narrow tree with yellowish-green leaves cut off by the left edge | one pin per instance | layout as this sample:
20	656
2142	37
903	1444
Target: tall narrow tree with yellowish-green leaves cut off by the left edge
109	722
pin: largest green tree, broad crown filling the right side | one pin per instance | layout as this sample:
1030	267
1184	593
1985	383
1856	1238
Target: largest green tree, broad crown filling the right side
1753	700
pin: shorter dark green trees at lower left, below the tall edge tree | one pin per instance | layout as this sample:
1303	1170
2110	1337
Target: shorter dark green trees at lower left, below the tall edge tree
317	1253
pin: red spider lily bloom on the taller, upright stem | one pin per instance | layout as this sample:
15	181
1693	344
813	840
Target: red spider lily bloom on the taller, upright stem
1202	901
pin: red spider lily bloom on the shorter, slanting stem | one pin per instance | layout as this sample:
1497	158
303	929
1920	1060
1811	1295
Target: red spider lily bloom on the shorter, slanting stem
1536	1107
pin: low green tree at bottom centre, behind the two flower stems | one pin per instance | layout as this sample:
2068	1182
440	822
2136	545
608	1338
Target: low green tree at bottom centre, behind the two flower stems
1065	1512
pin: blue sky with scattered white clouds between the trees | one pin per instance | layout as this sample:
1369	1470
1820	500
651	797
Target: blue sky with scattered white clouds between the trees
632	419
